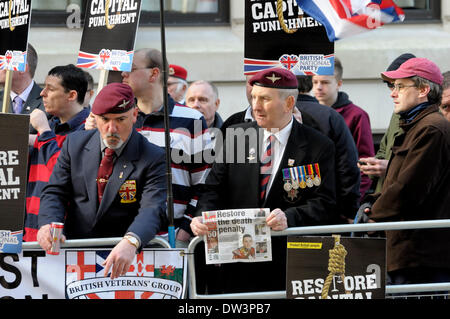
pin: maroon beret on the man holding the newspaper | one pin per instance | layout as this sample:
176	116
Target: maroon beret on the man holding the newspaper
275	78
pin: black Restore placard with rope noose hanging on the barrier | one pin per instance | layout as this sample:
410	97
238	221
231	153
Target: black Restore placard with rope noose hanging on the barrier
335	267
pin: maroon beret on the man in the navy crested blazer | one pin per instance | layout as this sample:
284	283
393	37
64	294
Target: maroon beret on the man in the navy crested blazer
113	98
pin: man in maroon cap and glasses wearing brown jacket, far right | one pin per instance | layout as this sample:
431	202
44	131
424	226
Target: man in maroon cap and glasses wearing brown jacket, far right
418	177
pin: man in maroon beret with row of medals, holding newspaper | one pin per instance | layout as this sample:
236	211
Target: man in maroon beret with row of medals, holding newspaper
276	163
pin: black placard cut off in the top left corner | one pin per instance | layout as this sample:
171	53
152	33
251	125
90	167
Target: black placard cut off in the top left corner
15	18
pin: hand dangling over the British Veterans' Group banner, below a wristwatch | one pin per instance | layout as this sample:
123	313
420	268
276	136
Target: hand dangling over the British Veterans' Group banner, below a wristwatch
120	259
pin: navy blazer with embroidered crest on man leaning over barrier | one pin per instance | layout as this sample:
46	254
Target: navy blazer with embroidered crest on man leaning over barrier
72	189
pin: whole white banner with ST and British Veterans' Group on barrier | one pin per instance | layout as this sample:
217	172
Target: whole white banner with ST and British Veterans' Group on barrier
79	274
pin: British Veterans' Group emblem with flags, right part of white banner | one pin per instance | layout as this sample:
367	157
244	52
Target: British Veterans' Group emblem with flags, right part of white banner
154	274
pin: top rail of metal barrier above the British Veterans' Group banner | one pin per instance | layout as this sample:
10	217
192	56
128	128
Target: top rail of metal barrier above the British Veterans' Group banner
95	242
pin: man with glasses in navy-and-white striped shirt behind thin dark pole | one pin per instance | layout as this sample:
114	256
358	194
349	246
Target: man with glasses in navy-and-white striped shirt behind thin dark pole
189	136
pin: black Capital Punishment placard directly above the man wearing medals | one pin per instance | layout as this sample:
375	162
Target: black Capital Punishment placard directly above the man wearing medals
300	44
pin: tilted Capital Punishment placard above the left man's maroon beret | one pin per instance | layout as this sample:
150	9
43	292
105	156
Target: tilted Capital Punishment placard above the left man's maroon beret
109	34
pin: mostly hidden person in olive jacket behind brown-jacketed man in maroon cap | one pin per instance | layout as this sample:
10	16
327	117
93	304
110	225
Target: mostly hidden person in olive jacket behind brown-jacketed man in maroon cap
375	167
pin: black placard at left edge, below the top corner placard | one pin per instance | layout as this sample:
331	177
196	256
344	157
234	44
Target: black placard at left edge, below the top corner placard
13	180
